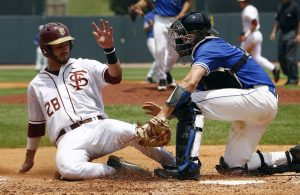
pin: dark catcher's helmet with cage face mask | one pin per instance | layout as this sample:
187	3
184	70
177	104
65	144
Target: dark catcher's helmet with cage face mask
188	30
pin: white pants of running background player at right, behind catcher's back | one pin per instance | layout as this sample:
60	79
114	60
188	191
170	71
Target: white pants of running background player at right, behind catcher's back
255	38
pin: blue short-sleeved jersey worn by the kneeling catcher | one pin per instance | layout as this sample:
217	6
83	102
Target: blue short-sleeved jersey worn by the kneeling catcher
213	53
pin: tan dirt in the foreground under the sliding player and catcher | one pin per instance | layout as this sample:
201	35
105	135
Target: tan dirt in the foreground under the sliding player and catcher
42	178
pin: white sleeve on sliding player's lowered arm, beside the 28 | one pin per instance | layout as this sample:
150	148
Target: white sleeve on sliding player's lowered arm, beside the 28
35	112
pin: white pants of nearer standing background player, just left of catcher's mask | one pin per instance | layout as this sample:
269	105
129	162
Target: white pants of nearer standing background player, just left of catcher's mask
165	55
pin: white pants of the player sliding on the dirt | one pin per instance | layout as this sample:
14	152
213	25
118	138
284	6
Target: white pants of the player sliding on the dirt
77	148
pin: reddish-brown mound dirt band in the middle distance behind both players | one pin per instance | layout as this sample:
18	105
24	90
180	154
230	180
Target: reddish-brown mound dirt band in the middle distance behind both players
136	93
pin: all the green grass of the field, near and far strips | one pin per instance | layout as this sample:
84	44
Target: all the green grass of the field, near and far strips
13	118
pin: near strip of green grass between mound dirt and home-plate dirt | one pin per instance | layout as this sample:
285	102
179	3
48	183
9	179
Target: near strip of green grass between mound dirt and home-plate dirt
283	130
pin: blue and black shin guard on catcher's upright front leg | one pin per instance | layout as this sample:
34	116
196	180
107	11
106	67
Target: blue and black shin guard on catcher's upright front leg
188	140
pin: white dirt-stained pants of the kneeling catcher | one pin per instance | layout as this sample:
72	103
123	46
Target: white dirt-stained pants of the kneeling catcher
250	111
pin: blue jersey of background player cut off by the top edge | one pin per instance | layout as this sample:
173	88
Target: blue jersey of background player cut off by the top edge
168	8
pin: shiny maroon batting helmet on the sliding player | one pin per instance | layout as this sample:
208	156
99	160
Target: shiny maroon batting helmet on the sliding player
53	34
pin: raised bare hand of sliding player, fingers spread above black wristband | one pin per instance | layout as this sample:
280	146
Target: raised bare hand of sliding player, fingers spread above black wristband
103	34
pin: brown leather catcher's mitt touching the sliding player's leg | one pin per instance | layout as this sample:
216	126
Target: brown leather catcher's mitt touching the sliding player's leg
155	133
